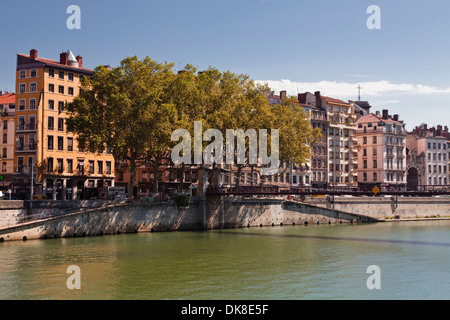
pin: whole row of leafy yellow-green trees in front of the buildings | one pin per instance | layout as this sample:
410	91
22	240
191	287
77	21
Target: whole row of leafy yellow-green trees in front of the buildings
134	108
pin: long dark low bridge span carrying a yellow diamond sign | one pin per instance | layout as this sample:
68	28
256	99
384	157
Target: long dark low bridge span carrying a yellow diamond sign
380	190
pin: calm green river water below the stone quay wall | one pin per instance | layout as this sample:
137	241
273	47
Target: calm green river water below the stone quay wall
314	262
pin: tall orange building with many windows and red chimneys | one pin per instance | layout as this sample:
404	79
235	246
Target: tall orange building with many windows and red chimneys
43	145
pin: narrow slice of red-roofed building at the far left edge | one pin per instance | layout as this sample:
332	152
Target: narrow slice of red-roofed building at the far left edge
7	144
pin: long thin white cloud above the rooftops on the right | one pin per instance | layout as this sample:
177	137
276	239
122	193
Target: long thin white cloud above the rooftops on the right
348	90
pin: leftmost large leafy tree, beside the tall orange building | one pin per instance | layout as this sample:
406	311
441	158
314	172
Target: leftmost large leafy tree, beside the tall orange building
126	109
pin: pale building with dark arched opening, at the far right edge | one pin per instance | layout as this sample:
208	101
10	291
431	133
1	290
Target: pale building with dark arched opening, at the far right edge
427	156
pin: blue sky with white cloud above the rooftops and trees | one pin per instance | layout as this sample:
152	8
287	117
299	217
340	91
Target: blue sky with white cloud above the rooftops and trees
293	45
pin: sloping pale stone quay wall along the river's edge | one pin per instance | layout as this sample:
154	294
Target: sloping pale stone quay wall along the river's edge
214	213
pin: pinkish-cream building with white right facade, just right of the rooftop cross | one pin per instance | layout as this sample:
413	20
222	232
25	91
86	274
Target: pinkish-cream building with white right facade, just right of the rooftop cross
381	150
